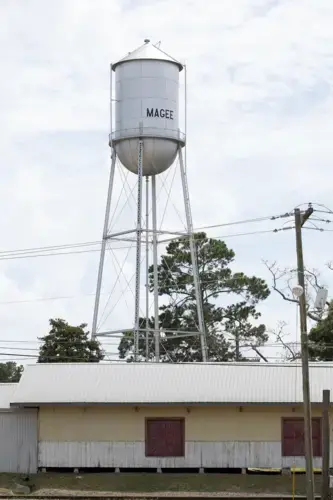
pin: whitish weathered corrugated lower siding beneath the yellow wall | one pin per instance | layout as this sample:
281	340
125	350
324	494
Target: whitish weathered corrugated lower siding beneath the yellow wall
197	454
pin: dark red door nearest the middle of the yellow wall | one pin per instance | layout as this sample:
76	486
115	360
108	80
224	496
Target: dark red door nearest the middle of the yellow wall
165	437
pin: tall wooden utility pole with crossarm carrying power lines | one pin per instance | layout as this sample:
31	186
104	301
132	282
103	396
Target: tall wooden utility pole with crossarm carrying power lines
300	219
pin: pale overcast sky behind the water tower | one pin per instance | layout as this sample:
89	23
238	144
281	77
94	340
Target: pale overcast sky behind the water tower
259	136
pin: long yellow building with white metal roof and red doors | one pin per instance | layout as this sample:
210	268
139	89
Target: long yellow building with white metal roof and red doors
228	415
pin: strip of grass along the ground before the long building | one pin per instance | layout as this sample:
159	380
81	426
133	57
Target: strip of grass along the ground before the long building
163	482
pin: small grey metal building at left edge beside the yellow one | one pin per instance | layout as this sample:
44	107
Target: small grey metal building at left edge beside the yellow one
18	434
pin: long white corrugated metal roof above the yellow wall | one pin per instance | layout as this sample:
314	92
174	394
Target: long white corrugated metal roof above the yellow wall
151	383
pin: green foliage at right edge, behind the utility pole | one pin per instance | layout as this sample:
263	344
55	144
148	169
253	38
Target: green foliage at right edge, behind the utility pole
321	338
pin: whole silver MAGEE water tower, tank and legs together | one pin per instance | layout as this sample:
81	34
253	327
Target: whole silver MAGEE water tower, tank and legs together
146	139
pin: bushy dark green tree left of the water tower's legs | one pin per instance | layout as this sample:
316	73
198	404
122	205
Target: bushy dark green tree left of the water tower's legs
68	344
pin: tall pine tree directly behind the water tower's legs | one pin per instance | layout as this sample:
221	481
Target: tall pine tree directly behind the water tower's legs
229	326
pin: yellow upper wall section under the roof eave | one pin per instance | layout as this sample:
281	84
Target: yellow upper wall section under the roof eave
204	423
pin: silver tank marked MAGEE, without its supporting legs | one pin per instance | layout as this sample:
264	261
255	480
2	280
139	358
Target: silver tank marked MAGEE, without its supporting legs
147	108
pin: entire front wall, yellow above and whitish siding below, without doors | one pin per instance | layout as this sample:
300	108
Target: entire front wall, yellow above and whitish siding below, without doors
221	437
